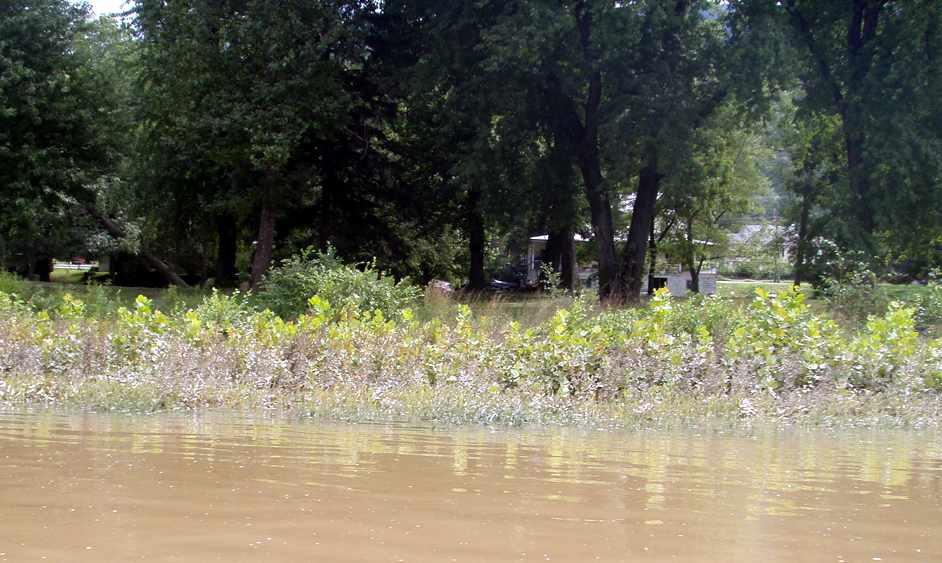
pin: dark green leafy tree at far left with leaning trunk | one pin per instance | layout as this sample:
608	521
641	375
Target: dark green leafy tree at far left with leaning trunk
60	131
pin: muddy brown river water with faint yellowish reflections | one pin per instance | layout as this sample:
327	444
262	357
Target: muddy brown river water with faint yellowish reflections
212	487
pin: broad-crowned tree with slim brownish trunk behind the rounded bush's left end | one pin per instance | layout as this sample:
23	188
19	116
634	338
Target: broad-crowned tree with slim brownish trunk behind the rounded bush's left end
248	85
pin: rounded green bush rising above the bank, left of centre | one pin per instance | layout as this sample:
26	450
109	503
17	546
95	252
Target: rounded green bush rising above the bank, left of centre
288	287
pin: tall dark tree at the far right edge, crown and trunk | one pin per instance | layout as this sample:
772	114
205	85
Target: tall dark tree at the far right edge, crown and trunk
867	61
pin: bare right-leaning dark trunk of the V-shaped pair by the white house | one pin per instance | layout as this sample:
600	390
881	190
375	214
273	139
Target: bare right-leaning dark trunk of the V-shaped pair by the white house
642	217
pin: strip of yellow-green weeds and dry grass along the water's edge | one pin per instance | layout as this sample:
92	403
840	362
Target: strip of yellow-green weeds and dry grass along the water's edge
670	363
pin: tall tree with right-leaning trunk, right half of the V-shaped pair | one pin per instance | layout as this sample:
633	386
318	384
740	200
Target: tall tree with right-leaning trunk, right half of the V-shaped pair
685	67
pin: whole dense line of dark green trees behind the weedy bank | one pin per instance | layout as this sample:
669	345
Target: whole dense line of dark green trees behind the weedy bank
205	139
